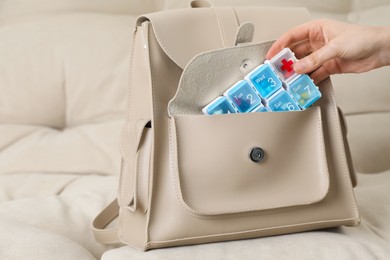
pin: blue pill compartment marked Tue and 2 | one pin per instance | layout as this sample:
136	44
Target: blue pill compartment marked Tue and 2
243	96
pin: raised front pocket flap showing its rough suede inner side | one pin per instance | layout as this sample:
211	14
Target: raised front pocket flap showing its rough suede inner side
204	78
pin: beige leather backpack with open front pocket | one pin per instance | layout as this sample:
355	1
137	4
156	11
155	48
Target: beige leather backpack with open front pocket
187	178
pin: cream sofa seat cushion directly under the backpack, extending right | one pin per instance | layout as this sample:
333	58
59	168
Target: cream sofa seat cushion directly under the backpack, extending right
370	240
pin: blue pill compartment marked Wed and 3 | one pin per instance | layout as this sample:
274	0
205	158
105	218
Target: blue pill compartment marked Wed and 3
265	80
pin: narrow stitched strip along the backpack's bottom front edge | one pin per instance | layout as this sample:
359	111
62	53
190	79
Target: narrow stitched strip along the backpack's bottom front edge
246	234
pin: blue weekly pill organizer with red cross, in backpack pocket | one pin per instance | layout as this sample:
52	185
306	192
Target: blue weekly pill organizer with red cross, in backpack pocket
272	86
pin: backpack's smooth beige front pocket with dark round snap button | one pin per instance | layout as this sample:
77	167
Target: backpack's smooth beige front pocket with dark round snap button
214	174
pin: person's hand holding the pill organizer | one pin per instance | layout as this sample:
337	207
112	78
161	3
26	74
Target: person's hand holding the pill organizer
329	47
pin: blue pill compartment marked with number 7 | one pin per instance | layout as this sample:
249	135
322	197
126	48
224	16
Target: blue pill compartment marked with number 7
304	91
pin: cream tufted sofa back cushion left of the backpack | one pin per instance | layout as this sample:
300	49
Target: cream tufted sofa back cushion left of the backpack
64	78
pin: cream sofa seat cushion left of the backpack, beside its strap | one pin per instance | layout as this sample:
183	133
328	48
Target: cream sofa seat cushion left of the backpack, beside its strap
48	216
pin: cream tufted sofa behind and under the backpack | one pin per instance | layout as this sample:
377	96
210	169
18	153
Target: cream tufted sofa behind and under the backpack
63	81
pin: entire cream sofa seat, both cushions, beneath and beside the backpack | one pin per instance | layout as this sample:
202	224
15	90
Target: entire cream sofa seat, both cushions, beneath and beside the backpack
48	217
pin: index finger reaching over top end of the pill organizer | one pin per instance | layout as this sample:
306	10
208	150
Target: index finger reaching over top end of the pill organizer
292	36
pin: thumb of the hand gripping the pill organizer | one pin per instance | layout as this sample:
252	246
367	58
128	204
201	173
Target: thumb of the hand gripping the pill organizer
315	59
